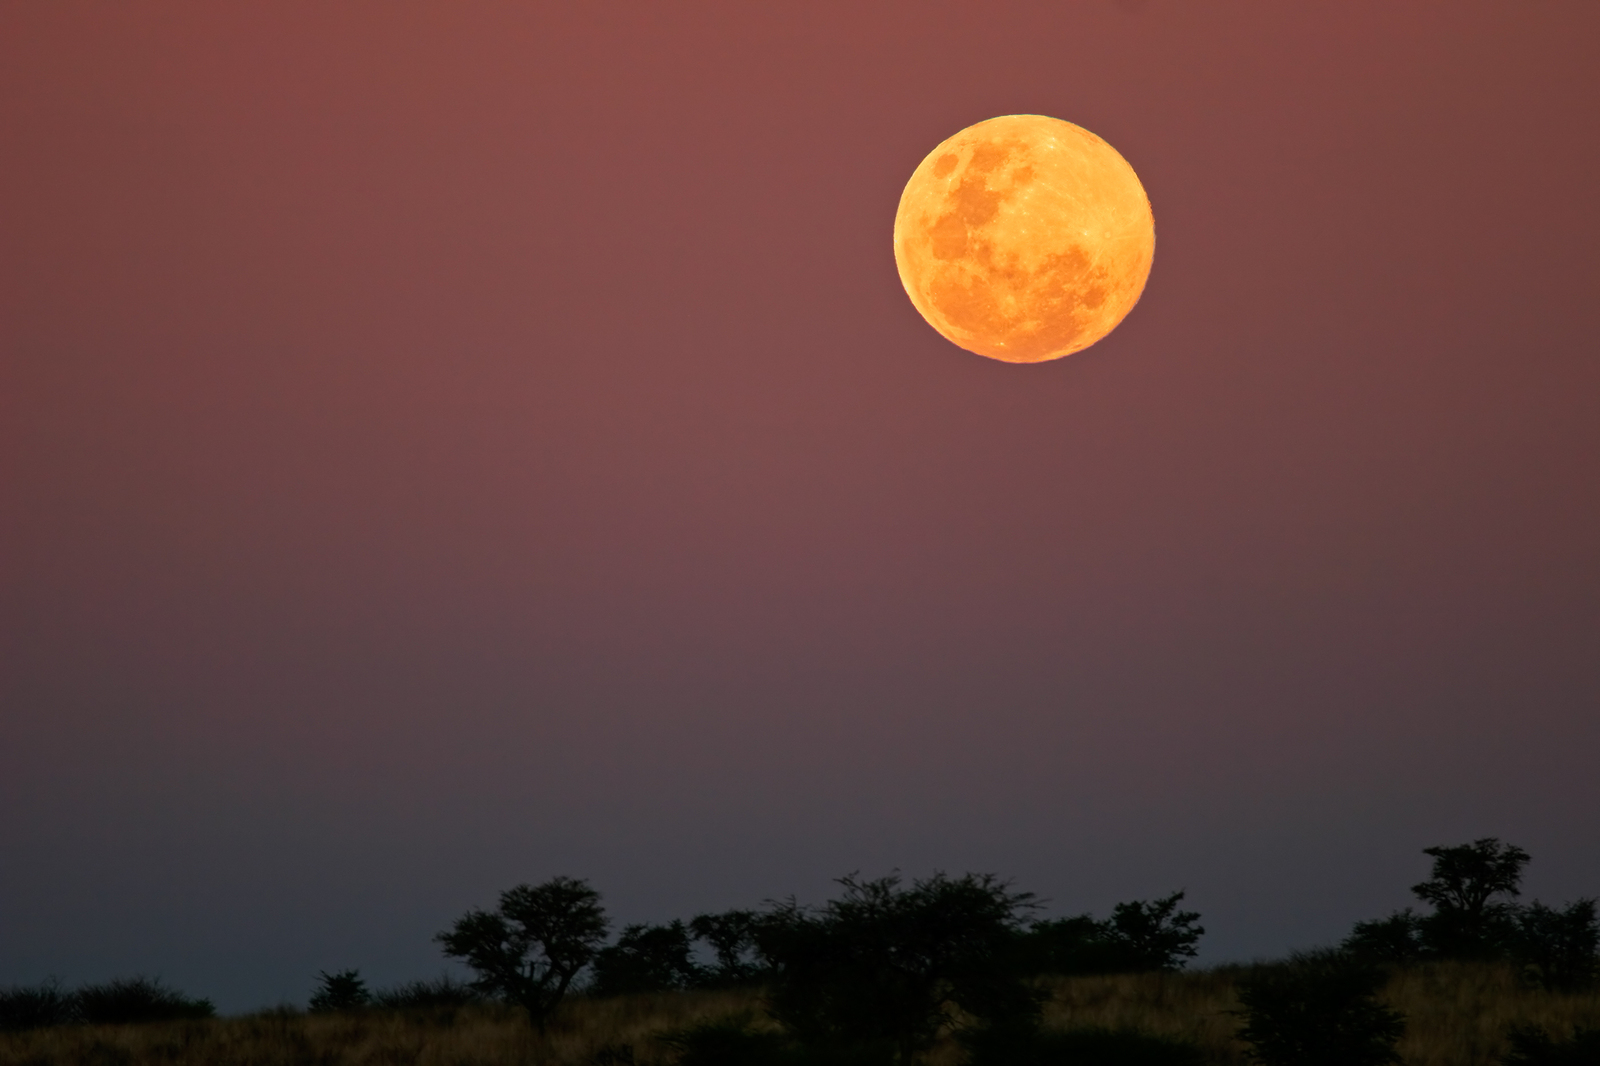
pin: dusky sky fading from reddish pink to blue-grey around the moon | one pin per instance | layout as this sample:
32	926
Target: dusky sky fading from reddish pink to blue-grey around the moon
455	446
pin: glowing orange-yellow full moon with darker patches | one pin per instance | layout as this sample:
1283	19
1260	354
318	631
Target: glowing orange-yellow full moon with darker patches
1025	239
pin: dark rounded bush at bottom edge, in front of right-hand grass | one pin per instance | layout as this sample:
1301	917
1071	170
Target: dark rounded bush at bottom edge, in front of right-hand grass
1321	1009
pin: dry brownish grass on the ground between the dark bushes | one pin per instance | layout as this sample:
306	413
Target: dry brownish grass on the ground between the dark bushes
1457	1016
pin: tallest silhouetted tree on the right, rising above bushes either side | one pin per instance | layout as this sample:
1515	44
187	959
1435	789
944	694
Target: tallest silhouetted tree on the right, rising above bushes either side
1473	892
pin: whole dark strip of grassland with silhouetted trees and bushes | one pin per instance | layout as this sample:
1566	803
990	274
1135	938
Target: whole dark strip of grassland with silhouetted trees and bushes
938	972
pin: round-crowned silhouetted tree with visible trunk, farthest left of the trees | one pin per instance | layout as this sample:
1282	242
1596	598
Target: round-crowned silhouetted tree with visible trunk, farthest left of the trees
530	950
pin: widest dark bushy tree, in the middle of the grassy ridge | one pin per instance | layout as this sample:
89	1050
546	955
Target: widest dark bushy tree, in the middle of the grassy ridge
889	968
